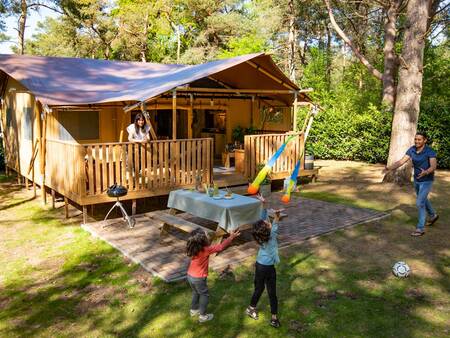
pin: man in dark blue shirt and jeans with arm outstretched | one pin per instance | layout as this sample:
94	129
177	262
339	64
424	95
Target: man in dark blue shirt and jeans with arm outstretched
424	162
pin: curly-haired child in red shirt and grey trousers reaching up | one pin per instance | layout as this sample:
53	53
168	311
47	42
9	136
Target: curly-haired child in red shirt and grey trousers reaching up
199	250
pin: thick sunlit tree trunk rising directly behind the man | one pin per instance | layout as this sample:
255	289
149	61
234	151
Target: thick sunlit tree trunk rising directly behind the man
409	89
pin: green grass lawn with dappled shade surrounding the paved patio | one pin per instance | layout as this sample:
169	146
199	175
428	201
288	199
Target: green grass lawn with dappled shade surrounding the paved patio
57	280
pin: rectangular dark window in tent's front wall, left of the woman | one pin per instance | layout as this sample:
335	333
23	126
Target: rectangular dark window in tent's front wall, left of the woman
79	125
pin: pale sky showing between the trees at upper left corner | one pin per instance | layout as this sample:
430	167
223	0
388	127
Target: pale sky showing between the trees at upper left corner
32	20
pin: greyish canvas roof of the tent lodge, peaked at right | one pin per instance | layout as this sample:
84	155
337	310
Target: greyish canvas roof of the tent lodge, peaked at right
73	81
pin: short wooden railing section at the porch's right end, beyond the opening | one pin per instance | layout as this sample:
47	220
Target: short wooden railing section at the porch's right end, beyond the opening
259	148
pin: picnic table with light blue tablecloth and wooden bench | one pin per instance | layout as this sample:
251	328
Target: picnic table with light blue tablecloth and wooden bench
229	214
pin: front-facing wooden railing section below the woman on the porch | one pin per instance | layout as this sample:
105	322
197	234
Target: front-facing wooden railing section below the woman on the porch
157	166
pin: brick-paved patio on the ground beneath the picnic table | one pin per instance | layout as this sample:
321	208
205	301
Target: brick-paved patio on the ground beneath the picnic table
306	219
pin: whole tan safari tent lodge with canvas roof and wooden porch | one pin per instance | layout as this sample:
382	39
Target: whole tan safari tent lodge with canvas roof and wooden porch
64	123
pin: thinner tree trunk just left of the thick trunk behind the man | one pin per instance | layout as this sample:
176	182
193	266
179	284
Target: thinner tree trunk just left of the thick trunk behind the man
390	60
